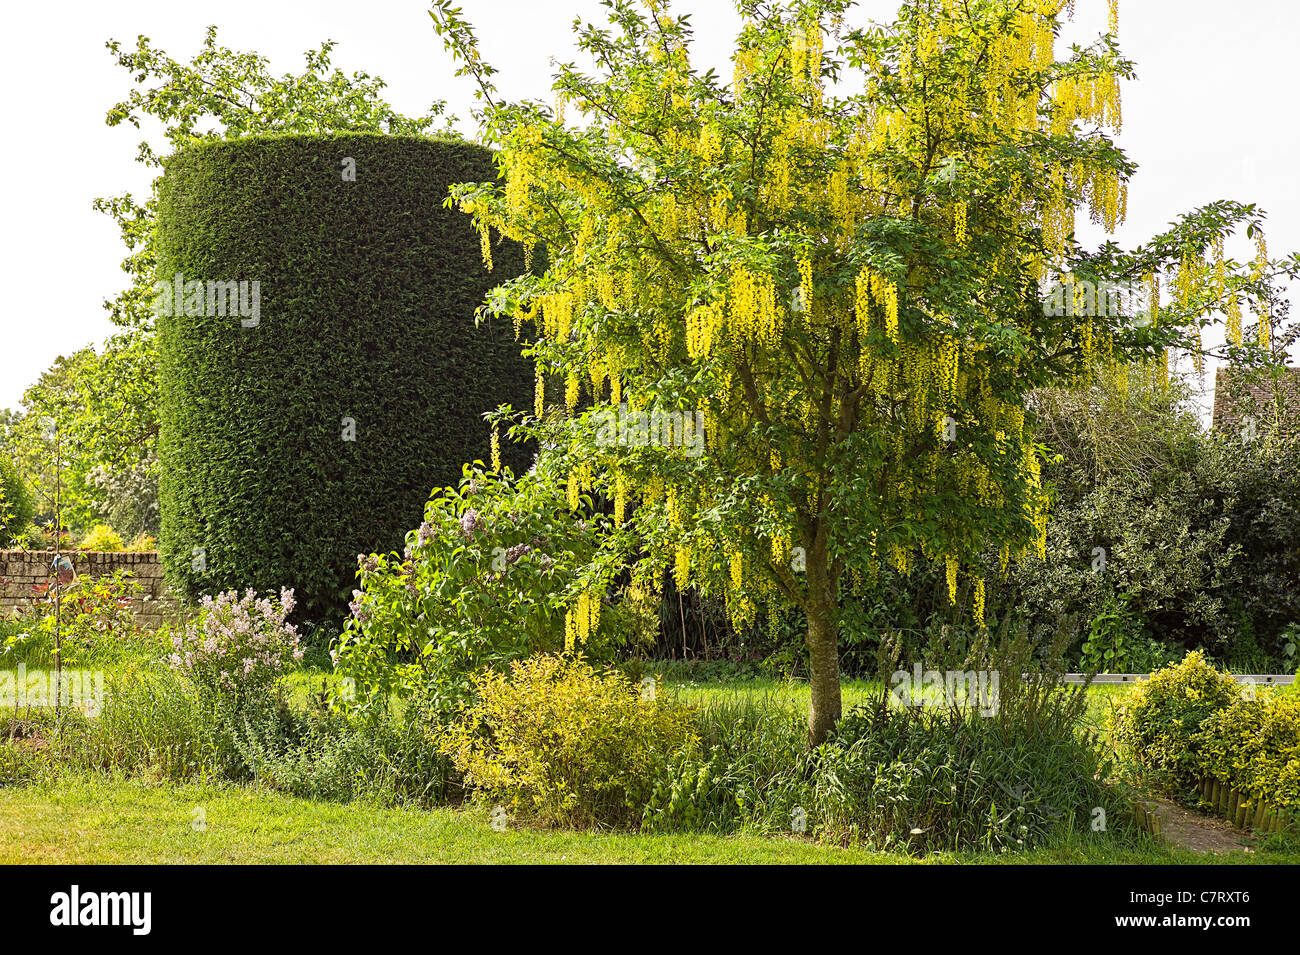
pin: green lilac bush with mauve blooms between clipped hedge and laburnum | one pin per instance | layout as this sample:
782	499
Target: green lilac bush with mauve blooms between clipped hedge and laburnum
486	580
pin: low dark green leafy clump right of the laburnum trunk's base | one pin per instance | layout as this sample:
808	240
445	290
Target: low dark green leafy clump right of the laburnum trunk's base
944	779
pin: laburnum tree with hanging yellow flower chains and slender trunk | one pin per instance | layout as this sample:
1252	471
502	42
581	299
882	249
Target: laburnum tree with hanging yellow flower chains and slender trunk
857	262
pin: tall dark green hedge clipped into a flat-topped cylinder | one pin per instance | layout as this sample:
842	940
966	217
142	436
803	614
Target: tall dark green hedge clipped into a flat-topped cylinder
363	327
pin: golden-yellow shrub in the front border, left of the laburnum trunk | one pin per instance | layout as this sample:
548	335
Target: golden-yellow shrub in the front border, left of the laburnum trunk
566	743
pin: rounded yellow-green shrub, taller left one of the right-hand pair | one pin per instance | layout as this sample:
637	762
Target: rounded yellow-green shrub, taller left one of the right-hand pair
1156	723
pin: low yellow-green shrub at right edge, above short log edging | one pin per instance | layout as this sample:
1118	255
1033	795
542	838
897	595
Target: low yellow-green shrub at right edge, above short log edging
1254	746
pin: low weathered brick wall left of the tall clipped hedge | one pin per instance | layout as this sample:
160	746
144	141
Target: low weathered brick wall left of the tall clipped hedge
21	571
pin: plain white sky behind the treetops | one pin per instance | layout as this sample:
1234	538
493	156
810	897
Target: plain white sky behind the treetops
1206	119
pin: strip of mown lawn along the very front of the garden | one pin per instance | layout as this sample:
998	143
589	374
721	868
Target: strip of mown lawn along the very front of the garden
97	821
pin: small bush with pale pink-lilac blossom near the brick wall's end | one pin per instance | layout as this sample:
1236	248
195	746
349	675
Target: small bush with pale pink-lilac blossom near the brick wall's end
239	646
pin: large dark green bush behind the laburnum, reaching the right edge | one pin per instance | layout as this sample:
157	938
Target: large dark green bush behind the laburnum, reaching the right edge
1202	550
